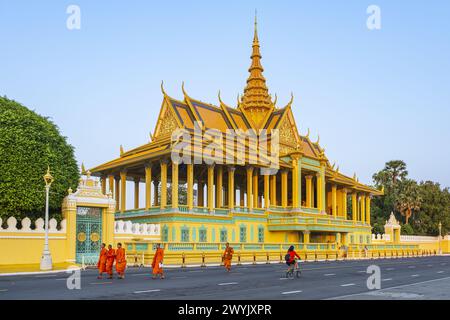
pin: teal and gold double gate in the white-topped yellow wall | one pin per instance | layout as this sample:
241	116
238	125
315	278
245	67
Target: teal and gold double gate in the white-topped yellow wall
89	235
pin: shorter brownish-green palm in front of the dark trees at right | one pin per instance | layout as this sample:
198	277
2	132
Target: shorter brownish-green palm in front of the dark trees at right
408	199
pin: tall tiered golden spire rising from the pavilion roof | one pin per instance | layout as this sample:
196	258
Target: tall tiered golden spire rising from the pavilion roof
256	98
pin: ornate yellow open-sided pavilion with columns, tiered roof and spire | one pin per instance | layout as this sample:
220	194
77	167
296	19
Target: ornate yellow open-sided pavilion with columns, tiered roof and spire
306	201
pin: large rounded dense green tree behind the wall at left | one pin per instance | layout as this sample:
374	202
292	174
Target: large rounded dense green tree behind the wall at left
28	144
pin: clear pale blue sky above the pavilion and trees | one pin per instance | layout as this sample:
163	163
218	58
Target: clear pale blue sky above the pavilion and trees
372	96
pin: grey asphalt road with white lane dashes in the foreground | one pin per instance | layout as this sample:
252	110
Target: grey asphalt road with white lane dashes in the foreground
319	280
